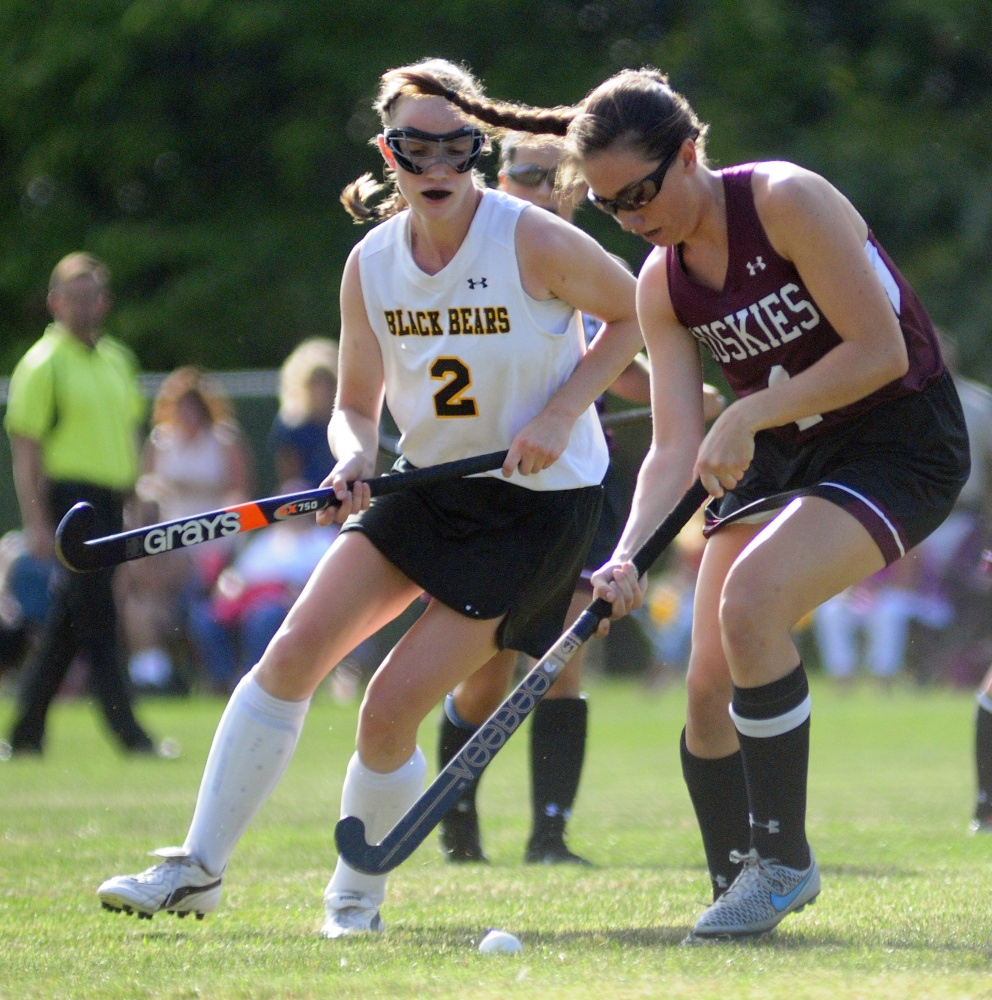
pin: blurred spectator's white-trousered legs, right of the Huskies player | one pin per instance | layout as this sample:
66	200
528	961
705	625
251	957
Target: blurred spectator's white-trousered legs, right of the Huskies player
880	609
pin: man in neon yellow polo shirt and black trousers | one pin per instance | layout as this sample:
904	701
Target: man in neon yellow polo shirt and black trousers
73	414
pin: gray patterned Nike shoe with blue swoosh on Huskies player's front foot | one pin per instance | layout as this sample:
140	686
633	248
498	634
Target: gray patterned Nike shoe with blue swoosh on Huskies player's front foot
761	895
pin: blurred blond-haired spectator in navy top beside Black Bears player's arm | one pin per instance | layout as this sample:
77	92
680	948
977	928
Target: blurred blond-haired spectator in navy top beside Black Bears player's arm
307	386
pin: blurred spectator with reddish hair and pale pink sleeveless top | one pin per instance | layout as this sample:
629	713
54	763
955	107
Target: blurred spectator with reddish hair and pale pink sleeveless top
195	460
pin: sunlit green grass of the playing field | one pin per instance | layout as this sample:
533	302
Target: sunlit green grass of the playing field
904	911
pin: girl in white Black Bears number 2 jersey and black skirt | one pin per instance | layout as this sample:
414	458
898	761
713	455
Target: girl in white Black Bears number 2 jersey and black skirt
461	311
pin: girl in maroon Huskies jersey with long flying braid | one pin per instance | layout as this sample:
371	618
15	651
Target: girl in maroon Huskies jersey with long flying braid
844	448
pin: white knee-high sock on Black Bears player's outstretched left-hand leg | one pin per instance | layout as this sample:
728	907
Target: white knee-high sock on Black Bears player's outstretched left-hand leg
252	747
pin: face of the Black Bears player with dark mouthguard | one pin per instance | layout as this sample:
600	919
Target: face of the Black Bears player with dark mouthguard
439	191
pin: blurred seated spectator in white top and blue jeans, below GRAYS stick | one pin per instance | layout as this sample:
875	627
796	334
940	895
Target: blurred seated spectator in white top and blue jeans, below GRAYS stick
231	628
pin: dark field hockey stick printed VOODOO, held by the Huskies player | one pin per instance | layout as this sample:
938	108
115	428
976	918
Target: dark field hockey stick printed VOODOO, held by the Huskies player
418	821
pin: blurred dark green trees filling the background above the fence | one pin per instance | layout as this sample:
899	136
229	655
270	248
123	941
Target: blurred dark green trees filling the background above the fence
199	146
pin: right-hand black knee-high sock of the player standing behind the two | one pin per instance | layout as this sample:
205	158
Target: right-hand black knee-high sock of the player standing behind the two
557	752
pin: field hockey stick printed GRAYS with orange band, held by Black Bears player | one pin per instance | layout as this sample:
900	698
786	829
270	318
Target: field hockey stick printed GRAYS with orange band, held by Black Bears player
83	554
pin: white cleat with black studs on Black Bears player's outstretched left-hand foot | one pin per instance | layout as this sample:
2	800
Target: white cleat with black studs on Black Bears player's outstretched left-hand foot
177	884
